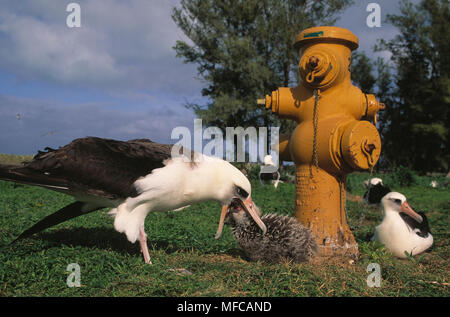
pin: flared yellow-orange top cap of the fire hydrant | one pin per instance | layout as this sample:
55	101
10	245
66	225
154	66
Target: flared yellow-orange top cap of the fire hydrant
327	34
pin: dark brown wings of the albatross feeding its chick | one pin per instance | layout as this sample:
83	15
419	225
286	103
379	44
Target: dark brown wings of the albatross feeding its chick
94	170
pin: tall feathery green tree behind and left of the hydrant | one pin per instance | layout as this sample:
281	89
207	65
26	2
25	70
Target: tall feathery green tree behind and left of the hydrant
244	50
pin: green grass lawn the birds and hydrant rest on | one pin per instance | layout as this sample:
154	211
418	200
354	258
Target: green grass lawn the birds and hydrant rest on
111	266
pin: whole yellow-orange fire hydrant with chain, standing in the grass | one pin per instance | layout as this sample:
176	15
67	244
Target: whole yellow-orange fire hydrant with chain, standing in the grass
334	135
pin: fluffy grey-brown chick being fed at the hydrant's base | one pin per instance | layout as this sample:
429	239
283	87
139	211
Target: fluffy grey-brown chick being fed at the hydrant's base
286	238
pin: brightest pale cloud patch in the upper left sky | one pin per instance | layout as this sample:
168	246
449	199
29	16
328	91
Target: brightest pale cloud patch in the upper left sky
38	50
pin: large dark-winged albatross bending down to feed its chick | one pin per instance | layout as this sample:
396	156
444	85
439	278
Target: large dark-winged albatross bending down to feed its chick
134	177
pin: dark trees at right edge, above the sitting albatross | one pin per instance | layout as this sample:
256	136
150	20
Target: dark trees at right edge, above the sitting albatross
416	122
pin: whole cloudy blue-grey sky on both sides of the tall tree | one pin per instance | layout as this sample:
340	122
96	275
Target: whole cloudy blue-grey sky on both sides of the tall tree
115	77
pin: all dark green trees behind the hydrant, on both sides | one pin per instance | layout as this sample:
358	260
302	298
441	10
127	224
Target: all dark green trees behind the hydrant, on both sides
243	50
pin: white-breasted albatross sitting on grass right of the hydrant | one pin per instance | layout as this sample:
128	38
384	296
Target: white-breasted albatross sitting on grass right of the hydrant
402	229
